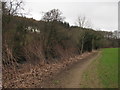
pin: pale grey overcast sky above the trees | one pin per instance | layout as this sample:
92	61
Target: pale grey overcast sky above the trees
103	14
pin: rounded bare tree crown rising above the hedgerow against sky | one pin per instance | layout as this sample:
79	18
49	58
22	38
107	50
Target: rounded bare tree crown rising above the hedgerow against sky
53	15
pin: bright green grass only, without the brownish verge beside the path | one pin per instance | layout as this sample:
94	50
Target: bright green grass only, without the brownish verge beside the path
108	67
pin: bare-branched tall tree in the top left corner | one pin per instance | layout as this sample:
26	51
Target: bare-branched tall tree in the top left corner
11	8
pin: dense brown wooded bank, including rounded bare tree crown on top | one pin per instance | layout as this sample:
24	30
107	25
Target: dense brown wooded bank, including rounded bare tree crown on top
27	41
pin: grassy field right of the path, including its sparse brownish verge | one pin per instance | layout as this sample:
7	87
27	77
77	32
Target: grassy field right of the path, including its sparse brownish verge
103	72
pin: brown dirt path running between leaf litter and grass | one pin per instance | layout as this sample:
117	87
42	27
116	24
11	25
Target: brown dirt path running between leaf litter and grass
71	78
